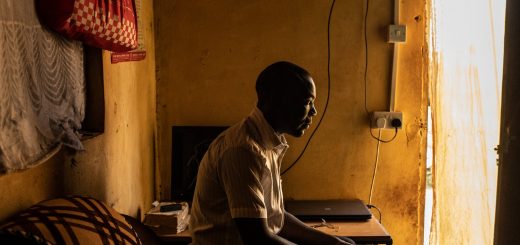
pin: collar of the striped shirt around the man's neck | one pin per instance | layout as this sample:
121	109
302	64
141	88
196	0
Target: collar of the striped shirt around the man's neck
270	138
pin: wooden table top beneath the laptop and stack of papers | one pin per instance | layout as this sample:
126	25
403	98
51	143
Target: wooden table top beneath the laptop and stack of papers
362	232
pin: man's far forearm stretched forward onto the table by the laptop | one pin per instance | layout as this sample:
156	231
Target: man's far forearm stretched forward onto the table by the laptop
297	231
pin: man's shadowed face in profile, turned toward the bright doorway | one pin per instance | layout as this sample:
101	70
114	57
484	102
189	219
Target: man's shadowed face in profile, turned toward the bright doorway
296	108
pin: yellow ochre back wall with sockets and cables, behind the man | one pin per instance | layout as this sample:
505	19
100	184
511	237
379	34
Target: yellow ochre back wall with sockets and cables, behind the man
210	52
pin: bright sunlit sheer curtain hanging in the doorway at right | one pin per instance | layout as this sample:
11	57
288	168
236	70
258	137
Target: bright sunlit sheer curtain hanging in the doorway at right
467	54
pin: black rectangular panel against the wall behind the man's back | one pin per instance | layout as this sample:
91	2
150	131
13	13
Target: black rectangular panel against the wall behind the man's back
189	143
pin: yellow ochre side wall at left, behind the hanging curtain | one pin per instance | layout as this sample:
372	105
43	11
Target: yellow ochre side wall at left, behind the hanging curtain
116	167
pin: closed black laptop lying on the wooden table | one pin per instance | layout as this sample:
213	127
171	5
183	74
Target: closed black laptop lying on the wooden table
328	209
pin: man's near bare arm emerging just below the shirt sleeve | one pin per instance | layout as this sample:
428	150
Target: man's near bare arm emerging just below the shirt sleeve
255	231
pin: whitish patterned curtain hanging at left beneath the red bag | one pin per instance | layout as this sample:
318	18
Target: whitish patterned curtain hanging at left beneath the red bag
41	88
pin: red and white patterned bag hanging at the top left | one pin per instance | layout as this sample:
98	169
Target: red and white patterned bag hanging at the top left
110	25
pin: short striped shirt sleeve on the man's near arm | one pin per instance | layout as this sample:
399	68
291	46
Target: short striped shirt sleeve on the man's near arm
242	172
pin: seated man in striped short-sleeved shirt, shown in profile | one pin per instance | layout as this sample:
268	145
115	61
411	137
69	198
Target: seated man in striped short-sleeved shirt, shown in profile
238	196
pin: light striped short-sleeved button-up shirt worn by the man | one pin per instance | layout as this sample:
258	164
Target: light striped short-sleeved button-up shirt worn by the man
239	177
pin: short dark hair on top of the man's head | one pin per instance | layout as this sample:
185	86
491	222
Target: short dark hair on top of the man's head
279	76
